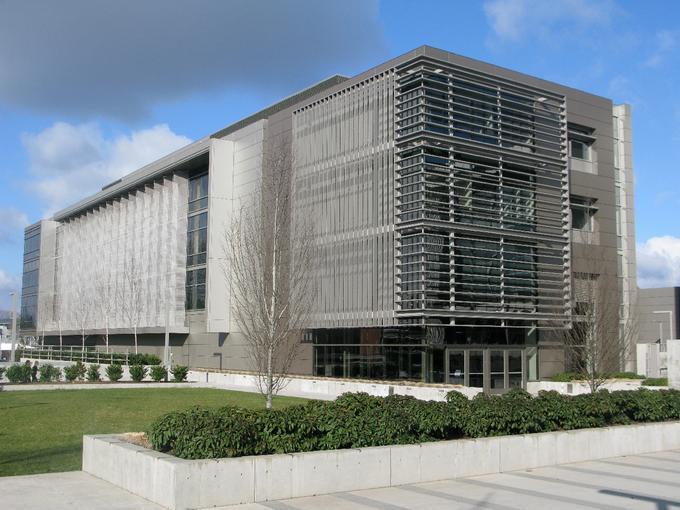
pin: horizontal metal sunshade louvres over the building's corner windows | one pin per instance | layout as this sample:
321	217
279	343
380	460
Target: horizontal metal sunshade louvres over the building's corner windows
481	199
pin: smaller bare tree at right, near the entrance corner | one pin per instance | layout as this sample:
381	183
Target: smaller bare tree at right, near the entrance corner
599	340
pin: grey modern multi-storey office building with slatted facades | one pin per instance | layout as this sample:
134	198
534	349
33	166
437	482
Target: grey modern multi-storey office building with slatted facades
458	208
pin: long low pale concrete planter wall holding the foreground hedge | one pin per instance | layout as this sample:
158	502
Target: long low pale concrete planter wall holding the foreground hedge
178	484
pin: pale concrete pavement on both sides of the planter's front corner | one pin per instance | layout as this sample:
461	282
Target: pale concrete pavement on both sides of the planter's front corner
647	481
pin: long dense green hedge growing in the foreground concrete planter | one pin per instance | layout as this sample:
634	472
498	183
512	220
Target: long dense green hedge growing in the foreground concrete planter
360	420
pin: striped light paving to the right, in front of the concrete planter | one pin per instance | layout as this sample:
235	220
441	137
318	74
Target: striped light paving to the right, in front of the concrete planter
648	481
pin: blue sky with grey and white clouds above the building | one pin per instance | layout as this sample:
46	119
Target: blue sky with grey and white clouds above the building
92	89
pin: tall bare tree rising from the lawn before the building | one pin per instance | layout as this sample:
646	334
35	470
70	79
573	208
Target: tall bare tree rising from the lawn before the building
269	268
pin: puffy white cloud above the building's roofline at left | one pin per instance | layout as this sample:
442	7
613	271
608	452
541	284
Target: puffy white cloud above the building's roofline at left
69	162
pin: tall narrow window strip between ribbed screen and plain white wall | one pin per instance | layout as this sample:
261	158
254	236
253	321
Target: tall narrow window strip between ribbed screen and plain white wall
197	243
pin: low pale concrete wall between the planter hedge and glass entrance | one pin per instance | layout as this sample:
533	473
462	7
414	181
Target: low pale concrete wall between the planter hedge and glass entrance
327	388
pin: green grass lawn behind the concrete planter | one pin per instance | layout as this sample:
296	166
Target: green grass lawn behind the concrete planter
41	431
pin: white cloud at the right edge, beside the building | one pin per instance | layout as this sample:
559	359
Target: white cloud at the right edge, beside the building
658	261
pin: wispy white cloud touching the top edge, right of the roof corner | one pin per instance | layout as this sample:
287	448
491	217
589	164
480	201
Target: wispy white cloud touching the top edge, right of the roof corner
511	20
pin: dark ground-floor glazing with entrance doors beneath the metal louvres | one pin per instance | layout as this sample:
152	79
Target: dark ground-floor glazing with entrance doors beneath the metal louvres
479	357
